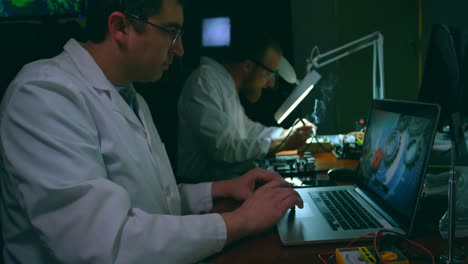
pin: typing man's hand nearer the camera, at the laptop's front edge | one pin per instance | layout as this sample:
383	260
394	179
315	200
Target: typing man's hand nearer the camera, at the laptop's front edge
262	210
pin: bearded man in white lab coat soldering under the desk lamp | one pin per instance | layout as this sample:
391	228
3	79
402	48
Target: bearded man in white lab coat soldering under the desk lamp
216	138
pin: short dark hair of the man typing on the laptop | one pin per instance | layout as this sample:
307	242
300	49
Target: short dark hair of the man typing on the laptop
98	11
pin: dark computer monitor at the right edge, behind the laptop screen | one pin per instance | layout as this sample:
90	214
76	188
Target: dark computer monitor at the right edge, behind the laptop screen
445	79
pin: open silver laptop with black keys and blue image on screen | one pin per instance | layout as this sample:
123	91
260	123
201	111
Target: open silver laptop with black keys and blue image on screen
389	179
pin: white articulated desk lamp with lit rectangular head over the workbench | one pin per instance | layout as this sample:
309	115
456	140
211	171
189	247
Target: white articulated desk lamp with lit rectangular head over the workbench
374	40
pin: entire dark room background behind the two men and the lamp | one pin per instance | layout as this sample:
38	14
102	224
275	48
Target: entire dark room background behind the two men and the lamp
299	25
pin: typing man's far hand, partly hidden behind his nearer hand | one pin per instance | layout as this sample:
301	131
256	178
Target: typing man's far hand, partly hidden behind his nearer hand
243	187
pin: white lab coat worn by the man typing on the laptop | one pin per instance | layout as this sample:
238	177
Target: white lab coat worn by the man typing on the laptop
83	181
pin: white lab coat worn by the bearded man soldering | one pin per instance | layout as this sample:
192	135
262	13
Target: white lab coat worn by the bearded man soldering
216	139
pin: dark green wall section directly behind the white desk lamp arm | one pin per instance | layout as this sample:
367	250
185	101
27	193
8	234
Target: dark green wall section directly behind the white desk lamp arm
332	24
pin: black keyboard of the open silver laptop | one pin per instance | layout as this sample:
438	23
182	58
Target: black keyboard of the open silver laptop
341	210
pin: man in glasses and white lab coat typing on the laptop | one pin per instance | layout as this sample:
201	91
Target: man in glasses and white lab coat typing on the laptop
84	175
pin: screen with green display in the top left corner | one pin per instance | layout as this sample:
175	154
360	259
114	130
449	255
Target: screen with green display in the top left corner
15	10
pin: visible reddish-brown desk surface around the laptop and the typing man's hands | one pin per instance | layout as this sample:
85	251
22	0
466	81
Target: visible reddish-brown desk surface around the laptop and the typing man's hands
267	247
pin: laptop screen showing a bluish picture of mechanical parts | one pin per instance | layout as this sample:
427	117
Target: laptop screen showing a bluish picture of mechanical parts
397	144
